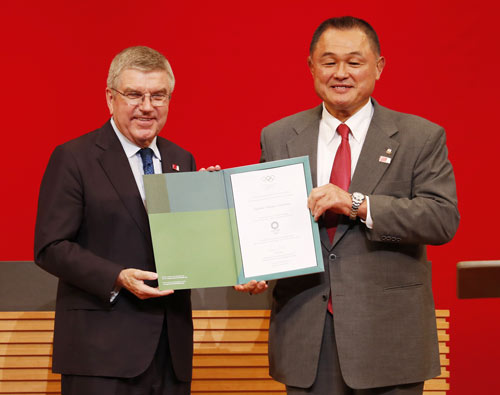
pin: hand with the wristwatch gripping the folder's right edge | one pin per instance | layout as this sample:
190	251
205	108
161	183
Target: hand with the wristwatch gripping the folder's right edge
329	197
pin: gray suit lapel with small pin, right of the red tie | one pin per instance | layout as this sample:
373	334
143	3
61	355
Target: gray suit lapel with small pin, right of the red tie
370	169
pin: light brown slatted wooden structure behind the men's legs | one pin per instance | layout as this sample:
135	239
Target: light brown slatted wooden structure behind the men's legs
230	348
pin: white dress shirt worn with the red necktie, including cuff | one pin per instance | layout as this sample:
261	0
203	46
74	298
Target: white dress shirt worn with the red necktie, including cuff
329	141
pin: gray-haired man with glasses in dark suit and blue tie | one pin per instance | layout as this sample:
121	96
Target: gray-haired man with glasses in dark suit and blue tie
115	331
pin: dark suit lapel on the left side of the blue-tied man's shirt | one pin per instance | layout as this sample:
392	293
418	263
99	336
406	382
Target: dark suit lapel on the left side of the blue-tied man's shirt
117	168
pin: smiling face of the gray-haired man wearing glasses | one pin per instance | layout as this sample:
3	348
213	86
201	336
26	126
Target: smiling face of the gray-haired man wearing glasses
142	122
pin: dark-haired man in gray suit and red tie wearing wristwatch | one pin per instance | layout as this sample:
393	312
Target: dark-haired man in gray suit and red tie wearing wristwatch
367	324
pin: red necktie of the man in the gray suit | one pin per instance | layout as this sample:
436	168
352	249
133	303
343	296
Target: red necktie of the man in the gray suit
340	176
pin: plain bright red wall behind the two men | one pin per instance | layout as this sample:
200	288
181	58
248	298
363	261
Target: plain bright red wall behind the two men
242	65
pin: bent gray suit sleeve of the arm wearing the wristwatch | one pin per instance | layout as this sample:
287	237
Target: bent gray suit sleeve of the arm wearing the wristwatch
429	215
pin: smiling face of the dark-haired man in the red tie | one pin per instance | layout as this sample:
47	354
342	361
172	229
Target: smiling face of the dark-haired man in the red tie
344	67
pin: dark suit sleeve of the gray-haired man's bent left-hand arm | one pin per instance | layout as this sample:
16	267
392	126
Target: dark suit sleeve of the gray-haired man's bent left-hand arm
60	216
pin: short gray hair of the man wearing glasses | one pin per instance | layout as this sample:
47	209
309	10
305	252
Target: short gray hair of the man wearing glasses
139	58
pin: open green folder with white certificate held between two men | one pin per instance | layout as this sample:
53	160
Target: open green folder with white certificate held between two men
224	228
